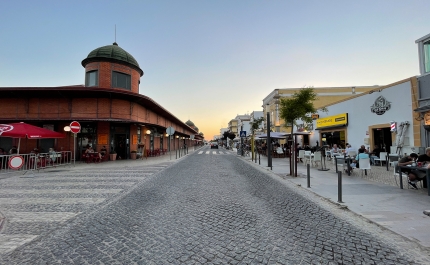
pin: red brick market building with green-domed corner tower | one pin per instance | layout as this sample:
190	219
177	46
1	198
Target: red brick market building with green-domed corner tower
109	108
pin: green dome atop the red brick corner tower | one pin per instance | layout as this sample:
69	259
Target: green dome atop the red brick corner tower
112	53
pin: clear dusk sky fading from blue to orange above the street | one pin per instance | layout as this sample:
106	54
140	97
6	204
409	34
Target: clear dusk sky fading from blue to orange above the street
208	61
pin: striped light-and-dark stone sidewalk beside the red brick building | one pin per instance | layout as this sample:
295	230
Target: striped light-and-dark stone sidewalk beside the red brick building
36	203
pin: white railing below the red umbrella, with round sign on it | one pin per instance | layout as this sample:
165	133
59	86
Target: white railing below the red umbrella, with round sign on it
11	164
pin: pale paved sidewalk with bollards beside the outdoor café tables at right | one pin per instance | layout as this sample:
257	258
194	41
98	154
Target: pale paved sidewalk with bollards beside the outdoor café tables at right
400	211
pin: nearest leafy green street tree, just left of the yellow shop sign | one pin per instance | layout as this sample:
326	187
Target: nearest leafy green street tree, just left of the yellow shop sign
299	106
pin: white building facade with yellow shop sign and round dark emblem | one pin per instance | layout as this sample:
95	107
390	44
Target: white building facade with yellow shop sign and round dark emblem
367	119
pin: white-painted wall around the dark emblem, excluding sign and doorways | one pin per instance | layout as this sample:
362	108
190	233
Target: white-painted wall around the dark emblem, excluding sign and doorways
360	117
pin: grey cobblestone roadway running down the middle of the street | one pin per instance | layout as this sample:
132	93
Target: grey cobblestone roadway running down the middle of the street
213	209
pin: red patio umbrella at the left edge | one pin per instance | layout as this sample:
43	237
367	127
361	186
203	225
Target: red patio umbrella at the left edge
22	130
